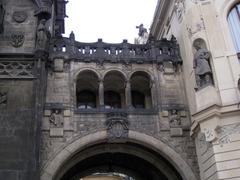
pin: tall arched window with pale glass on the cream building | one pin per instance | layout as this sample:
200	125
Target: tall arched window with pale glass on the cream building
234	25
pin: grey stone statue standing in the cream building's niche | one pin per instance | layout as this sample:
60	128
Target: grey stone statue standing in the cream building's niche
201	65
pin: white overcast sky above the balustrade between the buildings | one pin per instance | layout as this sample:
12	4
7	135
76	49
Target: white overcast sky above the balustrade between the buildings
111	20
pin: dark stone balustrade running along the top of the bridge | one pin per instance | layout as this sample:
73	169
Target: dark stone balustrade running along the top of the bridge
152	52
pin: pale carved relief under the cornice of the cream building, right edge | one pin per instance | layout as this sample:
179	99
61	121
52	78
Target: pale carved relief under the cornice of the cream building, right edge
225	132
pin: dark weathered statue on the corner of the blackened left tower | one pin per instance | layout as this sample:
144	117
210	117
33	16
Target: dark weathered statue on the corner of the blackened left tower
43	35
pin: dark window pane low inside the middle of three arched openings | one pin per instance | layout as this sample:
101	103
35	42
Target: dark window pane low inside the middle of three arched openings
112	100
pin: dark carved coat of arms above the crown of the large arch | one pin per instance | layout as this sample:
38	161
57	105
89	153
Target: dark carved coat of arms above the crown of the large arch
117	126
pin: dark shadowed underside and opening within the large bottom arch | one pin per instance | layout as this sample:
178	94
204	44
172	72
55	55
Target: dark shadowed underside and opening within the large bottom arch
131	160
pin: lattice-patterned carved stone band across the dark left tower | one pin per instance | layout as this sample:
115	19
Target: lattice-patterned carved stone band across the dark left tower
16	69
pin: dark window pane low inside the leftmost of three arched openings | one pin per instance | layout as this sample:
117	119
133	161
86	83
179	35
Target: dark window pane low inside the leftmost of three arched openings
86	100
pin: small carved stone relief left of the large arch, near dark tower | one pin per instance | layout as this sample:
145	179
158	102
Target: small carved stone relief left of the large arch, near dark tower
56	118
